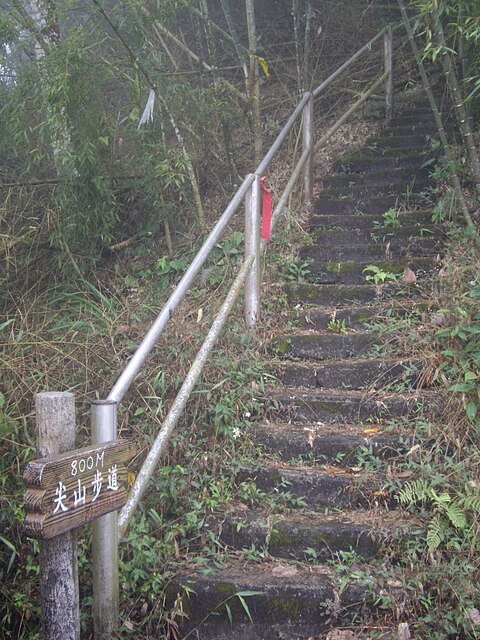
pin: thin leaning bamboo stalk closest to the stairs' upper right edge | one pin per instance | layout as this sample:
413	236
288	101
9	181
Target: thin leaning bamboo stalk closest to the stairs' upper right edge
438	120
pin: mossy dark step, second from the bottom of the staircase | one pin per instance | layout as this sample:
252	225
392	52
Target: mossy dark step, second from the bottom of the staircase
288	535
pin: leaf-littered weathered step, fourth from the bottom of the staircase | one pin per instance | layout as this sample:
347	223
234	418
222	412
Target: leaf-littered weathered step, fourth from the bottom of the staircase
332	443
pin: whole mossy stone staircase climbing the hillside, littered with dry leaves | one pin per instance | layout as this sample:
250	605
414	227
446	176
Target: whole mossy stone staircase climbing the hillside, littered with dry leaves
341	412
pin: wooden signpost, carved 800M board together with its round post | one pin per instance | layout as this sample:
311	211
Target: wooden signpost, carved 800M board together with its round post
67	488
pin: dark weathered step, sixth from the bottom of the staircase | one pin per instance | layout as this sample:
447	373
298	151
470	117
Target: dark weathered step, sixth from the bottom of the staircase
355	373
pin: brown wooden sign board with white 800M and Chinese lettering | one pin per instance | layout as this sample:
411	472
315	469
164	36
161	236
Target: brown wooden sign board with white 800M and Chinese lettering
67	490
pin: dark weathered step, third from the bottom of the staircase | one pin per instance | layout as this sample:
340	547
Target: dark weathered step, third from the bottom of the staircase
317	487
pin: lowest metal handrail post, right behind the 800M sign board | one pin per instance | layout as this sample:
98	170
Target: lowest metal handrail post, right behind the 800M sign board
105	537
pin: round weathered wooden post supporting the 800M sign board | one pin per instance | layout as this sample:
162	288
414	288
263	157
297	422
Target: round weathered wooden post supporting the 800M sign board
60	617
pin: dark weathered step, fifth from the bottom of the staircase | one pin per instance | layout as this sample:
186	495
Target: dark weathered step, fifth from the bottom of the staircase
294	405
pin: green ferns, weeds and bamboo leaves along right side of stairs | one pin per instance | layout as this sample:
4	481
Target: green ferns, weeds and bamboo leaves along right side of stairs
437	567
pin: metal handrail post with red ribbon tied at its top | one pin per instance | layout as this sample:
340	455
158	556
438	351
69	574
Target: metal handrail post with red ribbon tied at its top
252	247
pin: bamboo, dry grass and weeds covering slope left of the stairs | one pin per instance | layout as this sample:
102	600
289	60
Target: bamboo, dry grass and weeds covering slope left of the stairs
99	219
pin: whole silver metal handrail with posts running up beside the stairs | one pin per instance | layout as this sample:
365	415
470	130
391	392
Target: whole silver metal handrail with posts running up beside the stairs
111	528
